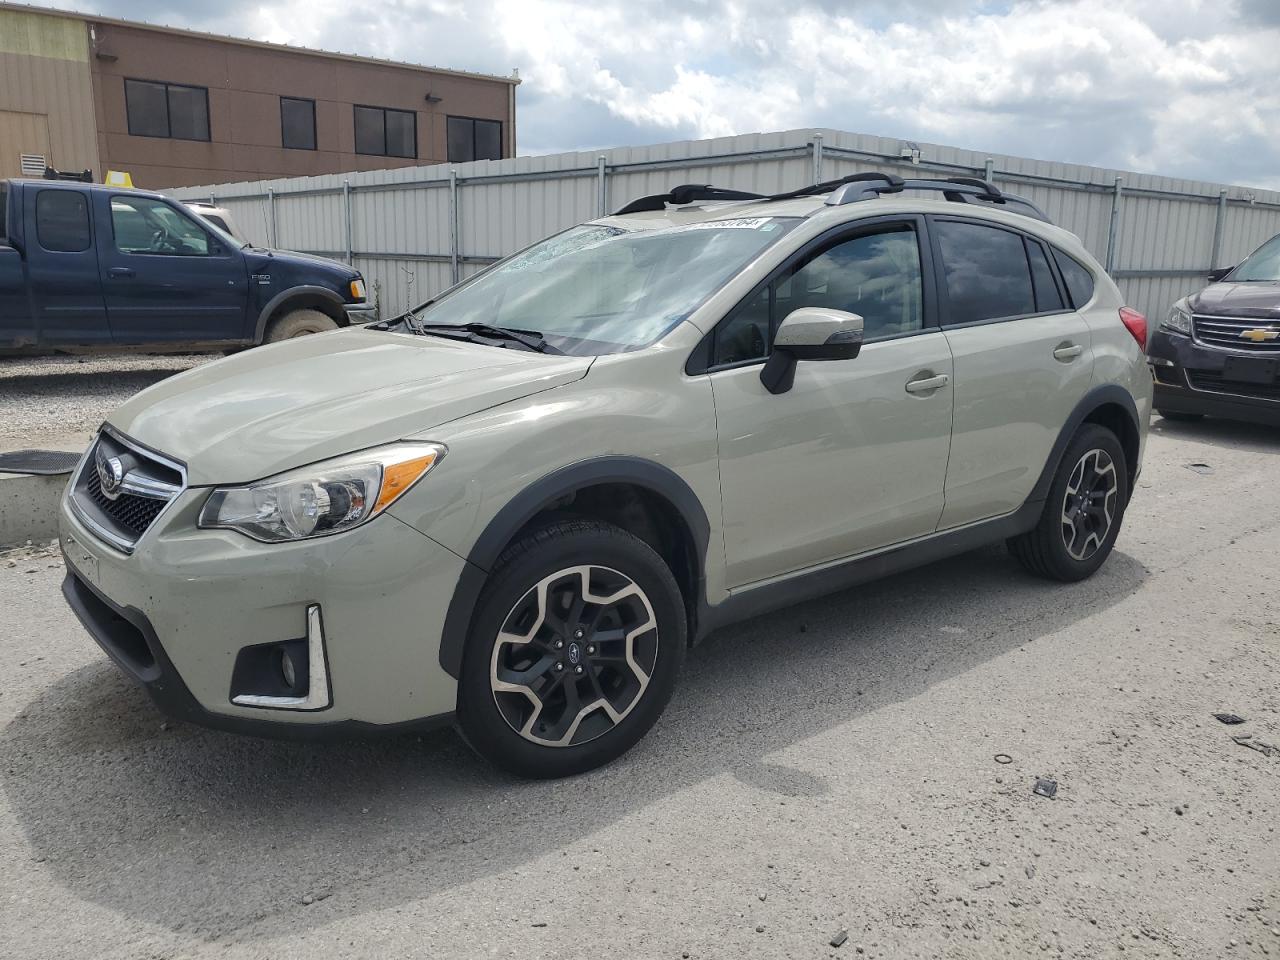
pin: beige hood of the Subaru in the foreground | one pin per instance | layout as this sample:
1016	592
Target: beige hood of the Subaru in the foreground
301	401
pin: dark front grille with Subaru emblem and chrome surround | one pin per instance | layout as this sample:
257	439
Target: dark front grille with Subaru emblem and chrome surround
145	484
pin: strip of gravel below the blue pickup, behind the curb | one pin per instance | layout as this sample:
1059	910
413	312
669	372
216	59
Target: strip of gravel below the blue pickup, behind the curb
54	401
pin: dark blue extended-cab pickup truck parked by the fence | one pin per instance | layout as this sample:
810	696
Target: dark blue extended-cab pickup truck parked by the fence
88	267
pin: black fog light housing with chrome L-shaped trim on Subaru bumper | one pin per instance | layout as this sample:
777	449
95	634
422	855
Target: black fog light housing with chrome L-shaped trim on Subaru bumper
290	675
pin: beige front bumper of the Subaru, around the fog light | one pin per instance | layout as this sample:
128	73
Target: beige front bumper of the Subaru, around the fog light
177	612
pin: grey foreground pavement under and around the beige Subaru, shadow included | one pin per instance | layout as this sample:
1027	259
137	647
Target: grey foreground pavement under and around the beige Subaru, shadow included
821	770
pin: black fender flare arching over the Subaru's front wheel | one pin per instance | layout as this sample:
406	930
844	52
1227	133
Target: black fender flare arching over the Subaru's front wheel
537	497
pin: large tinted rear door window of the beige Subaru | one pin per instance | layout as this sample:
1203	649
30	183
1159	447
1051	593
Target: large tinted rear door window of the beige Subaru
986	271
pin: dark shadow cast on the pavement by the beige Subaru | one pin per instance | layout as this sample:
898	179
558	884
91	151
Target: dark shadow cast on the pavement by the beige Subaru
208	833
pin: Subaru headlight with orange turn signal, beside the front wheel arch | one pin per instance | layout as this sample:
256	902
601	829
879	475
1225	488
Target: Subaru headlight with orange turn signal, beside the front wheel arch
324	499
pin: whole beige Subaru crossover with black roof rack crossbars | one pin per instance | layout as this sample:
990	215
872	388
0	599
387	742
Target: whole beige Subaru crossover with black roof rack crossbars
516	506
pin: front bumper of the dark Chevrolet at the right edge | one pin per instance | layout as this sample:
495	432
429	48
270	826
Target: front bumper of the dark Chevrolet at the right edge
1188	380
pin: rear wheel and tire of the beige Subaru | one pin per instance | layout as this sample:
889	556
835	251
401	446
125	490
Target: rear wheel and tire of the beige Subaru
1073	551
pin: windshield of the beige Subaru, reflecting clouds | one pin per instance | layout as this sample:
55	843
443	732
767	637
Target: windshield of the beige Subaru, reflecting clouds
601	290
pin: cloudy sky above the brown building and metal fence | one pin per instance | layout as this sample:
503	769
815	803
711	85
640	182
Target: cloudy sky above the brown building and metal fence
1182	88
